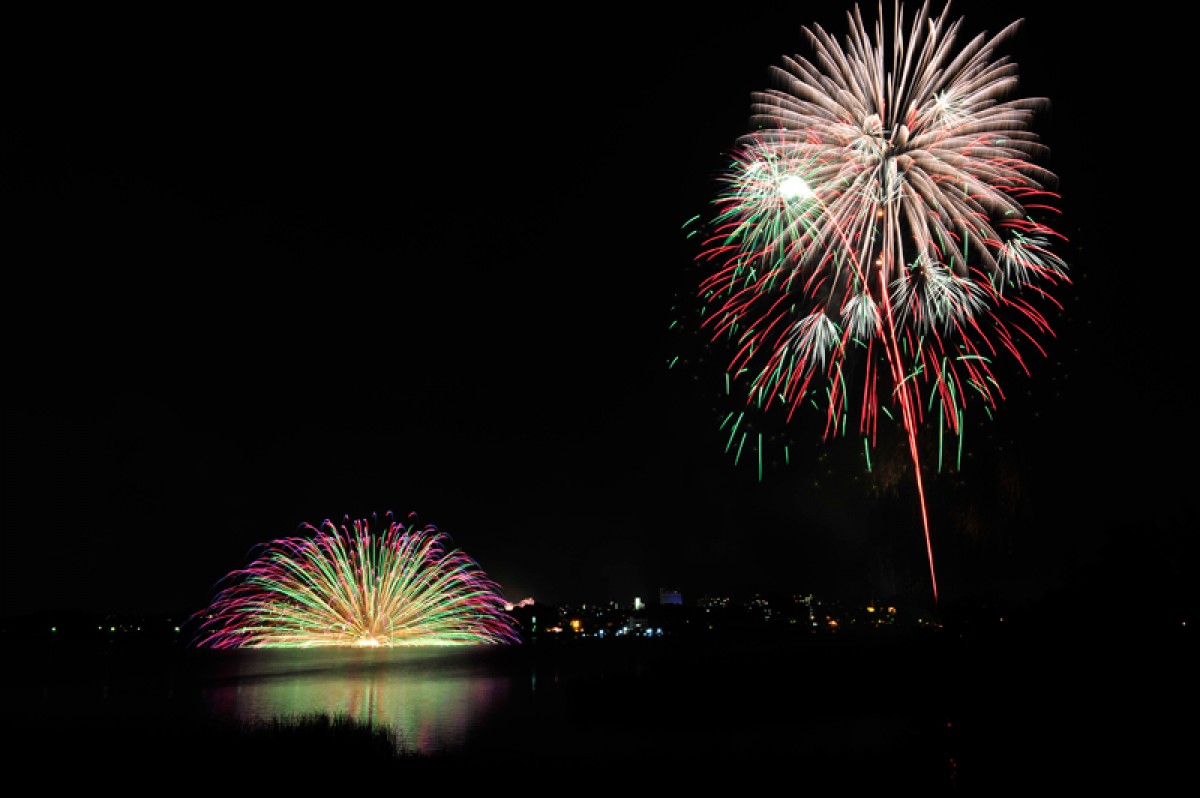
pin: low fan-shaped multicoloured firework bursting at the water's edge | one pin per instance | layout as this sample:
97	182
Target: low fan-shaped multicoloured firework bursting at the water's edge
351	587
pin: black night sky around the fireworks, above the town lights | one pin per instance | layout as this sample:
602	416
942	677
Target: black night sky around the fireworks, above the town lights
277	269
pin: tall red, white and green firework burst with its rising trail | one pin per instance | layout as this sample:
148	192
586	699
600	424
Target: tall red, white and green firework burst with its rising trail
880	227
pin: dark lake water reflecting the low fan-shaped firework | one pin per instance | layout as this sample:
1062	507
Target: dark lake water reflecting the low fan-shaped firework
941	715
